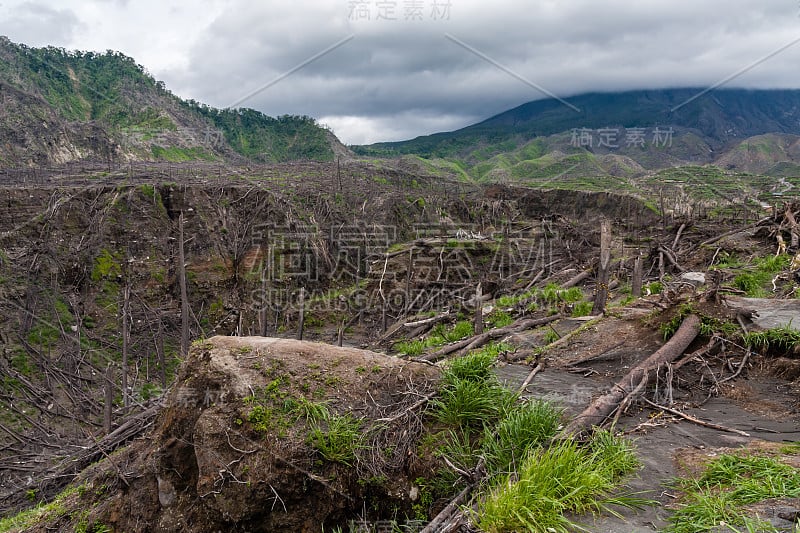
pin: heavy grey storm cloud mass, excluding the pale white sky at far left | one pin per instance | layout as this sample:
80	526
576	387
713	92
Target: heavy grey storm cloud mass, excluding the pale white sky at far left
395	74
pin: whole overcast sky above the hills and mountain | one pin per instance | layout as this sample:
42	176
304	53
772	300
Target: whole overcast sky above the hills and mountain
382	70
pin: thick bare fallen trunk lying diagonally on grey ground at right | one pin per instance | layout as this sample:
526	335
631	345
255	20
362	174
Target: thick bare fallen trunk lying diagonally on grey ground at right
604	406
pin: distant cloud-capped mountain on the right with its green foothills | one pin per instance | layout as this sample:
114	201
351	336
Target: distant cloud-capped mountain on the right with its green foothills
620	135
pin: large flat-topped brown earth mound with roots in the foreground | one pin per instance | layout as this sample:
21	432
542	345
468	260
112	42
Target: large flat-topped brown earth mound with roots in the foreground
241	442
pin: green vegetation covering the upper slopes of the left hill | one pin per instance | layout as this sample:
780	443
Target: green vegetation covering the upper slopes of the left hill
117	93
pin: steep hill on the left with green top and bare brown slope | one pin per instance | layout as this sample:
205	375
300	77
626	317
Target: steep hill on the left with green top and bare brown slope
62	106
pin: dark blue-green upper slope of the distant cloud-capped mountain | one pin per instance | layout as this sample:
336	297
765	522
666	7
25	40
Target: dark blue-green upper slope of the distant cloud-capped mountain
717	117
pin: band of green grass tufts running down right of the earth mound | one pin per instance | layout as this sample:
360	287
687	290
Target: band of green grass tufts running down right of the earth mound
485	420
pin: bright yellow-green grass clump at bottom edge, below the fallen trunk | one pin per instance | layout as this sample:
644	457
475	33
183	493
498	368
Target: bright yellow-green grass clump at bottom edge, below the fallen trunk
551	482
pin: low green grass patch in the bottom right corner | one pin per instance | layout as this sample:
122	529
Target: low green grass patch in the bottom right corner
728	484
